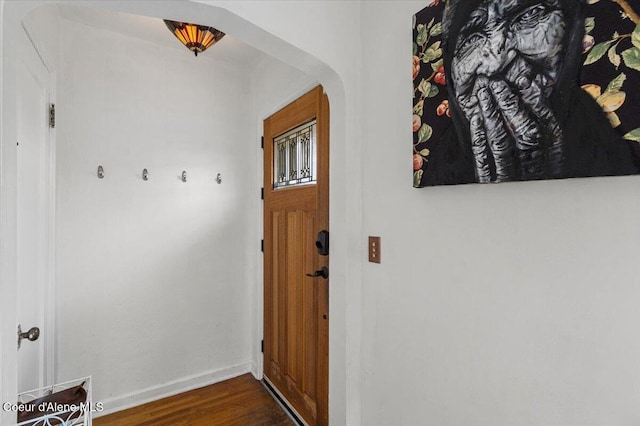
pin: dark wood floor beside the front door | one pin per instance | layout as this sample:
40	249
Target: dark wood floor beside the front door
242	401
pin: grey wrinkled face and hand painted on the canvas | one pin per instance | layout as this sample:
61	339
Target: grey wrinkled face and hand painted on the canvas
505	66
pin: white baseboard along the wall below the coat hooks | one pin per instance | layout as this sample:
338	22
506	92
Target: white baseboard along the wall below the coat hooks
175	387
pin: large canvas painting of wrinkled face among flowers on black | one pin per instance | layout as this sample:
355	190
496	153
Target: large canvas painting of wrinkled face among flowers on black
512	90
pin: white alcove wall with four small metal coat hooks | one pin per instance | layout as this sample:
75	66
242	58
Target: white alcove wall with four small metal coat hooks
152	284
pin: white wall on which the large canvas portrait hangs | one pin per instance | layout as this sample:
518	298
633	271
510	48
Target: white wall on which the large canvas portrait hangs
494	305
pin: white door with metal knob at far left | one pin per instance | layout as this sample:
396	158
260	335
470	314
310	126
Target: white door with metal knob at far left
33	203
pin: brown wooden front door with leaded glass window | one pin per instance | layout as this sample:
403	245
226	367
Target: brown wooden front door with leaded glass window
296	209
